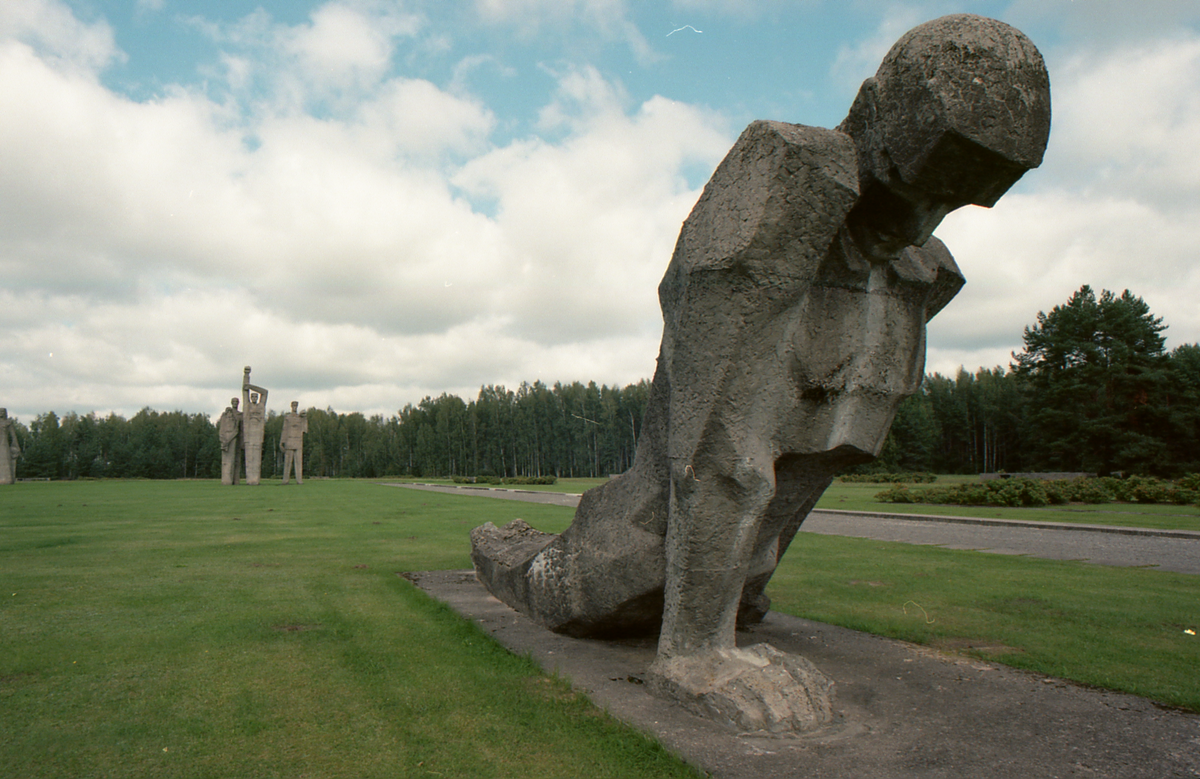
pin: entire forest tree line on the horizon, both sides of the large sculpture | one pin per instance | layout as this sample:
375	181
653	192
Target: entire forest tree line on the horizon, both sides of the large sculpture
1094	391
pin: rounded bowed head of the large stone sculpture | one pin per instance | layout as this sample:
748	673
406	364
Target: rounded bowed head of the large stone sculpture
958	111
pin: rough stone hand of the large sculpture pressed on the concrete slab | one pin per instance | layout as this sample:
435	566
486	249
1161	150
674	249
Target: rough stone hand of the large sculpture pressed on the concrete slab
754	690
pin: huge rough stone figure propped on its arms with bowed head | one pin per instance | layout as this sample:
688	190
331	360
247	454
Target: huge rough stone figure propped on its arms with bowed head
795	311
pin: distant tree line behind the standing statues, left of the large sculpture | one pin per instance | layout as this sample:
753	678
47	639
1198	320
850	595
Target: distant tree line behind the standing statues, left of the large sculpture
566	430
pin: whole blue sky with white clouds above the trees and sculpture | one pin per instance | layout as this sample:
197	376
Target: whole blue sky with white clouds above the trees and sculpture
371	202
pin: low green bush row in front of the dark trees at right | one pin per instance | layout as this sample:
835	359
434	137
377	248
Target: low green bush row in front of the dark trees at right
1033	493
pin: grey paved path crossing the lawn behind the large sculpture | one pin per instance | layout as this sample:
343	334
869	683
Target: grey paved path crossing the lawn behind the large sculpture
1106	546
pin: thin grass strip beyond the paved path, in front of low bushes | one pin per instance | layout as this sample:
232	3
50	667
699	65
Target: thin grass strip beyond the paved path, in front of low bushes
861	498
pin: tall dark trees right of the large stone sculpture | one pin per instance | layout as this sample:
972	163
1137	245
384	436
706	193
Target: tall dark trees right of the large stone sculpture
1094	391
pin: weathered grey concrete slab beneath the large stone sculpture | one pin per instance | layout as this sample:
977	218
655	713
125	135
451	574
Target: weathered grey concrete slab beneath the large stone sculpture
903	712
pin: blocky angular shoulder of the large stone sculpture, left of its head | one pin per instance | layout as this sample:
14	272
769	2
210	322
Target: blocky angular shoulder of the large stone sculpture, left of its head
778	197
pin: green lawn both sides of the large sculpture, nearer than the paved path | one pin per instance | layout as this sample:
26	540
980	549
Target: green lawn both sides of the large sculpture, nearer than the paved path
188	630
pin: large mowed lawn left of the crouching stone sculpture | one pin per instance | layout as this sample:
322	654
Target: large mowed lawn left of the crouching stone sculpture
188	630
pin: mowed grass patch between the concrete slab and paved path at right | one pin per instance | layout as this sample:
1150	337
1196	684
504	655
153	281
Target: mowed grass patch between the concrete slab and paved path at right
1118	628
